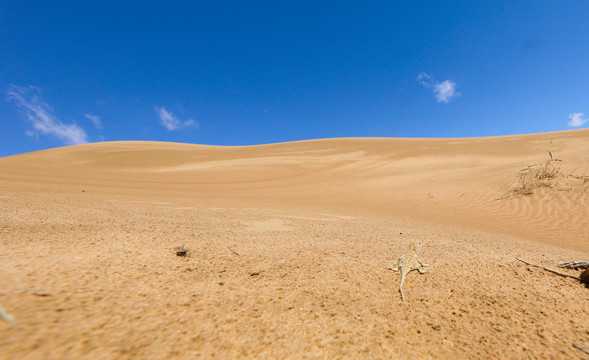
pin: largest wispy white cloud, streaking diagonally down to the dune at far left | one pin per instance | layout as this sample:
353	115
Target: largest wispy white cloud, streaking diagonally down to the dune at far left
39	113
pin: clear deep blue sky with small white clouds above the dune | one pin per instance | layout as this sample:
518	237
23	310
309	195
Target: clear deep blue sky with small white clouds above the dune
242	73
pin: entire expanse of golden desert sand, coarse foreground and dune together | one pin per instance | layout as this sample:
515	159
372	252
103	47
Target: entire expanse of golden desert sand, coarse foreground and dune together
88	268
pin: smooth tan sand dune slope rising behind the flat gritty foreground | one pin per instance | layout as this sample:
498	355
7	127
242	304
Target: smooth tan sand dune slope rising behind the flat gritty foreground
446	180
